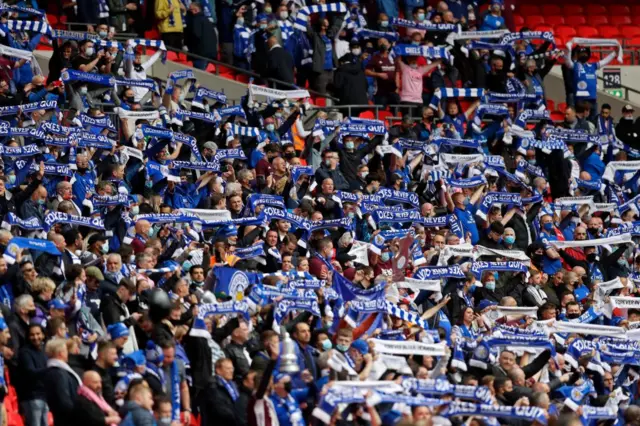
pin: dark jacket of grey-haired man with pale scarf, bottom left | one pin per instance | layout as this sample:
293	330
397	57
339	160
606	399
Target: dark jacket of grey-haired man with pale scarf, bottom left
62	390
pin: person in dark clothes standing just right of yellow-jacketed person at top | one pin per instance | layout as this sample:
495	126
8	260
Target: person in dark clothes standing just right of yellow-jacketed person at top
200	36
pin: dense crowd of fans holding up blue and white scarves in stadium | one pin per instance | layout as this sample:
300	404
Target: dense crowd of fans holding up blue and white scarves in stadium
171	259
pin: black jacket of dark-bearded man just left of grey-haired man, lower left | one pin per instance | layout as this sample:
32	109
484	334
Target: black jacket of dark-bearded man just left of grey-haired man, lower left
32	363
